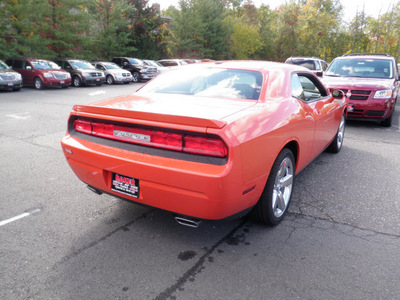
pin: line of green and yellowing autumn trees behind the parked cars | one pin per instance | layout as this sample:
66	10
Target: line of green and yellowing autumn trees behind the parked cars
212	29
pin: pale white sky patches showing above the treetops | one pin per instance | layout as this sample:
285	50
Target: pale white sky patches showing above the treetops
372	7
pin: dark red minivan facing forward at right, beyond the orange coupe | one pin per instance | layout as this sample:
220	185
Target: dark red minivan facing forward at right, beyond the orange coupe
370	81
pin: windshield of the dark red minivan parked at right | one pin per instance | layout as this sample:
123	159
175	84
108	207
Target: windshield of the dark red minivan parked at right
361	67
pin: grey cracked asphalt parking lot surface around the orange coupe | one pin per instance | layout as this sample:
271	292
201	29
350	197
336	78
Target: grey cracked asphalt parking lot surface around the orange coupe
341	239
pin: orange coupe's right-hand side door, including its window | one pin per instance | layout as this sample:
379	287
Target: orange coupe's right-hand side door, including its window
325	110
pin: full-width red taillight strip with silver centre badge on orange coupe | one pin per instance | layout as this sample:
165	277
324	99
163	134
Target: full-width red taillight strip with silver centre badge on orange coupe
154	138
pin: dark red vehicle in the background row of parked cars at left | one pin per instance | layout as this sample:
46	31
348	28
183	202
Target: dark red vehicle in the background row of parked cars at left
40	73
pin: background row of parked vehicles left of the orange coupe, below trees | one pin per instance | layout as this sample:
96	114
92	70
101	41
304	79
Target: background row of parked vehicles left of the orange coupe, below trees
63	72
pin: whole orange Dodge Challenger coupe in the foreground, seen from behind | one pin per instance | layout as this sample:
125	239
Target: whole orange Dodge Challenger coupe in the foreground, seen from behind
208	141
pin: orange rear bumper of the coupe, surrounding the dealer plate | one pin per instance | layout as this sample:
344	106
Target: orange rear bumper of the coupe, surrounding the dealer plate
184	187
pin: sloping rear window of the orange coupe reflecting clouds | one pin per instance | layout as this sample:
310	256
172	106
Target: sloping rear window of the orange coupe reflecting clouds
208	82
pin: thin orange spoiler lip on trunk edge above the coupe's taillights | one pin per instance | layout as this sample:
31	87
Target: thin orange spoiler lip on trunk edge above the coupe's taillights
88	110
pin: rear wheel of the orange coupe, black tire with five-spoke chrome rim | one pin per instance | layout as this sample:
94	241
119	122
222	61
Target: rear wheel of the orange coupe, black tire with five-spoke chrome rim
275	199
